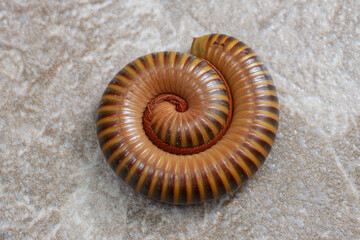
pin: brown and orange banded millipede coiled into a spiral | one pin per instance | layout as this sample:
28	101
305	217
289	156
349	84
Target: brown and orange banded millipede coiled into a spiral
185	128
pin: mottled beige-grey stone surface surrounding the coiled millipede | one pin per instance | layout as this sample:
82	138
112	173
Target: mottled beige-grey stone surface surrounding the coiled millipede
56	57
